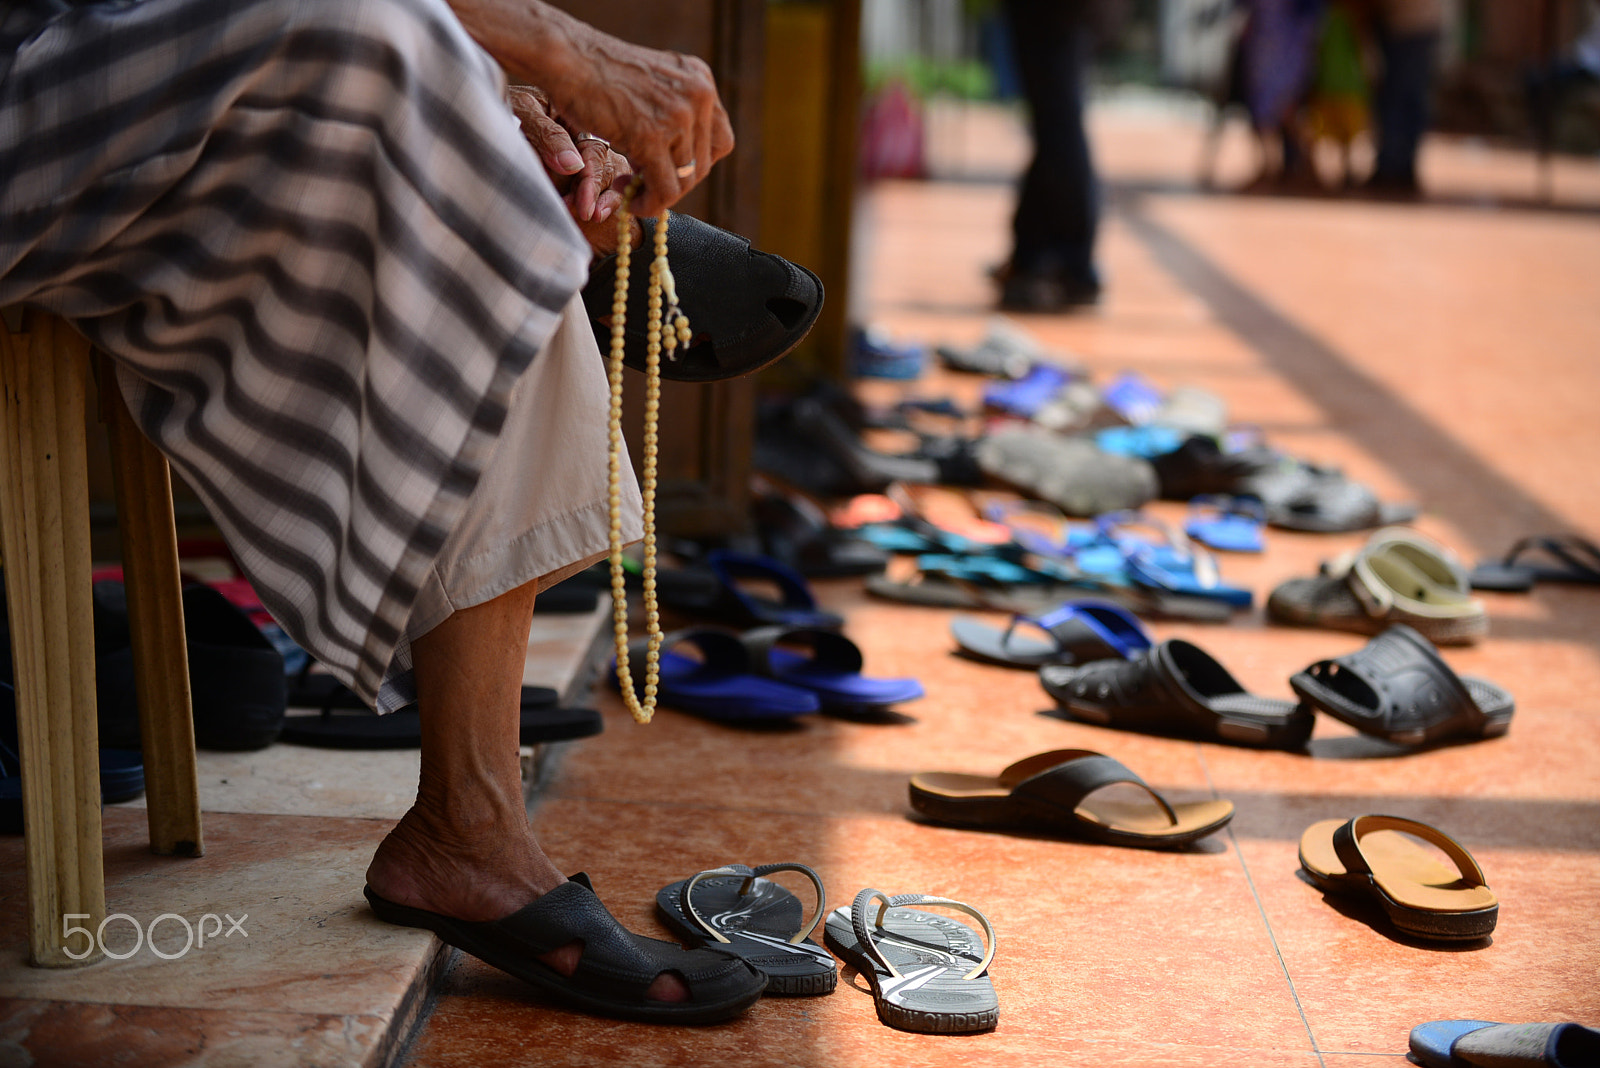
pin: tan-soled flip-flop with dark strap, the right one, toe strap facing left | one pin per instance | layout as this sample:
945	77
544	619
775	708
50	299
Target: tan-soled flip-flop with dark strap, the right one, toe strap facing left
1423	898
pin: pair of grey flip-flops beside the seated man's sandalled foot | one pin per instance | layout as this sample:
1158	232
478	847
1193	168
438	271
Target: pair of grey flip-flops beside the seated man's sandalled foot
929	973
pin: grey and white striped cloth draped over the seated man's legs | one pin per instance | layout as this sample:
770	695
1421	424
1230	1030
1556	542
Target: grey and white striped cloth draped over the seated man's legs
319	249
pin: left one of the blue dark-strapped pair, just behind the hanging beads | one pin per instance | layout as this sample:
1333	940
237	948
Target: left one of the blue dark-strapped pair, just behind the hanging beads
718	685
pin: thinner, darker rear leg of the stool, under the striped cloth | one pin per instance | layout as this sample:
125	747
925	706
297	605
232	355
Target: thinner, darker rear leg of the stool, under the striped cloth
156	620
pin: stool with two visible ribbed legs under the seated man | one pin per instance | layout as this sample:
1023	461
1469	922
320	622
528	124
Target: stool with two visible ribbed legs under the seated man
46	528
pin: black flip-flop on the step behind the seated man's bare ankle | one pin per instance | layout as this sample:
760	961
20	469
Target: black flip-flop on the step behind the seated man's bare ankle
361	728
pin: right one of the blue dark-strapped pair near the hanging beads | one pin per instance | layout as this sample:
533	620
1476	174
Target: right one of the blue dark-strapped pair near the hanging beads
833	671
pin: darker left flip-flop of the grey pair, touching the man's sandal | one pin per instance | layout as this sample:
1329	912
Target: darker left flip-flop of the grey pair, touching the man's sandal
737	911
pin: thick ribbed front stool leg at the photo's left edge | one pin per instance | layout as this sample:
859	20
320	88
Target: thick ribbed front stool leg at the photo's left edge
46	527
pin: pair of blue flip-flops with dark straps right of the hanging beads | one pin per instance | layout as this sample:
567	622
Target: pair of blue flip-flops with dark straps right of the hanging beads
767	674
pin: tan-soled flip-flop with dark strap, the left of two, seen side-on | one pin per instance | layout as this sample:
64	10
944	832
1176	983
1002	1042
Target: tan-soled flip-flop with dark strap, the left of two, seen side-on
1060	792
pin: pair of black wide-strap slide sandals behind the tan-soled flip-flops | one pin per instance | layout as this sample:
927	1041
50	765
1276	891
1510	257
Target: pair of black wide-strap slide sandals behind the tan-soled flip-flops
1396	688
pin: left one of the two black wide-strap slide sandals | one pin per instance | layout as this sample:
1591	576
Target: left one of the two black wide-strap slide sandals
1177	688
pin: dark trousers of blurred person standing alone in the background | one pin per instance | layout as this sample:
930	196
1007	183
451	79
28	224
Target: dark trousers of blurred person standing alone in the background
1058	205
